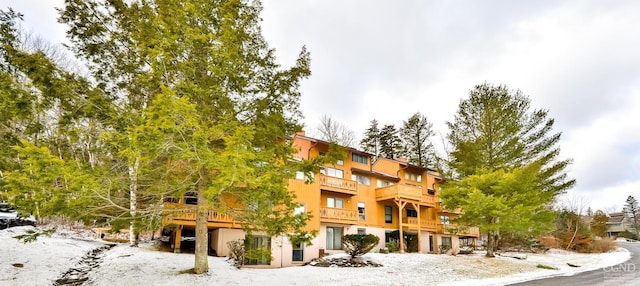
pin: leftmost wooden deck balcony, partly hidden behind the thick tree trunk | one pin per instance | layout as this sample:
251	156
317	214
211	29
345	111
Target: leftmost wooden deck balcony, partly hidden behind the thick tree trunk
186	214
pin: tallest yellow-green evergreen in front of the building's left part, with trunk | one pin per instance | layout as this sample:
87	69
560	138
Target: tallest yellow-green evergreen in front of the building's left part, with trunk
213	53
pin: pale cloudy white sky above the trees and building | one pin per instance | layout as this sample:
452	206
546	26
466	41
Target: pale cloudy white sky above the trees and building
387	60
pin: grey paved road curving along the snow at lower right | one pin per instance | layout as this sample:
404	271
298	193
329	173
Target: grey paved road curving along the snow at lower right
627	273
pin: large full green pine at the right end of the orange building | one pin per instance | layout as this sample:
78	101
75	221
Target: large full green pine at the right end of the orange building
494	130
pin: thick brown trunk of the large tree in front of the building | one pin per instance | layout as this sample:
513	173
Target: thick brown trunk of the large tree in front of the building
202	239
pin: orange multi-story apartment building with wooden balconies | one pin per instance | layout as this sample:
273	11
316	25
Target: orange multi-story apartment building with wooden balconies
385	197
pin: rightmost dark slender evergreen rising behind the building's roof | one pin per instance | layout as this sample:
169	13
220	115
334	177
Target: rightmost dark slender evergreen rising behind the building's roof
415	133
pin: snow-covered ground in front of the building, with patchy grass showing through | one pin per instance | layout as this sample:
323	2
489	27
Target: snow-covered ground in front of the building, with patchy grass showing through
45	260
